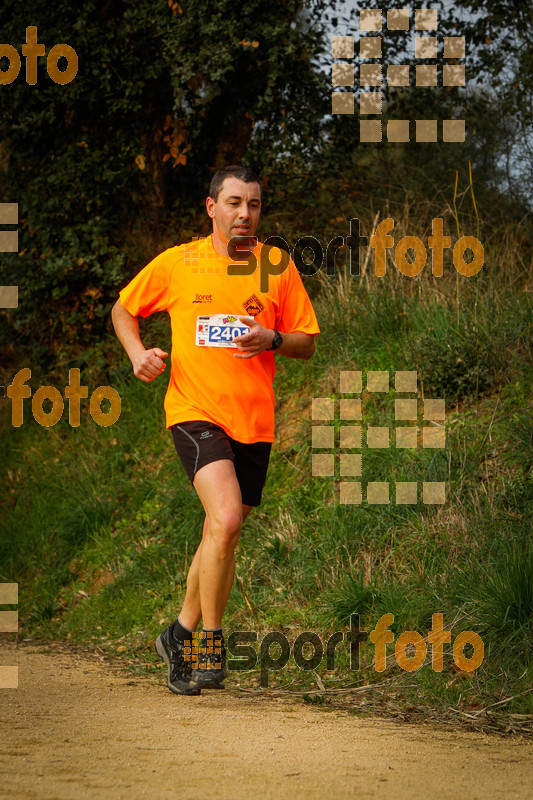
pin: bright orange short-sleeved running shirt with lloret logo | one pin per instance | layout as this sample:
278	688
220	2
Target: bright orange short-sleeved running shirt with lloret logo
208	382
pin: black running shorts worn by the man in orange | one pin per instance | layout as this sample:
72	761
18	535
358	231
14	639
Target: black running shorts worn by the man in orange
199	442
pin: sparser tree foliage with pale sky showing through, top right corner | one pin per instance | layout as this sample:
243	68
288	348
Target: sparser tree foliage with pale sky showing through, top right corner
497	100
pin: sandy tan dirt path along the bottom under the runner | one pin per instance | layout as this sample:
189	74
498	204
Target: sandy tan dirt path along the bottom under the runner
77	729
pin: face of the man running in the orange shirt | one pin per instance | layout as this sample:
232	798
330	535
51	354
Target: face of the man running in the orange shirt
236	211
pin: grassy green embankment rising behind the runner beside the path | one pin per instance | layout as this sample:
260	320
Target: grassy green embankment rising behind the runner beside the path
99	525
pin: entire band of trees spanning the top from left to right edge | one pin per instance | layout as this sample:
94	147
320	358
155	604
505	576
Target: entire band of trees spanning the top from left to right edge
111	167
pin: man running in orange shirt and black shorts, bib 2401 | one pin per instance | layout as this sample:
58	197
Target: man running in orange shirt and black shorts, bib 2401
219	403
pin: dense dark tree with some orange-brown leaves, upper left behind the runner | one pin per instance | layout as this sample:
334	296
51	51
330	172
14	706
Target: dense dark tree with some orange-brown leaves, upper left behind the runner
165	93
